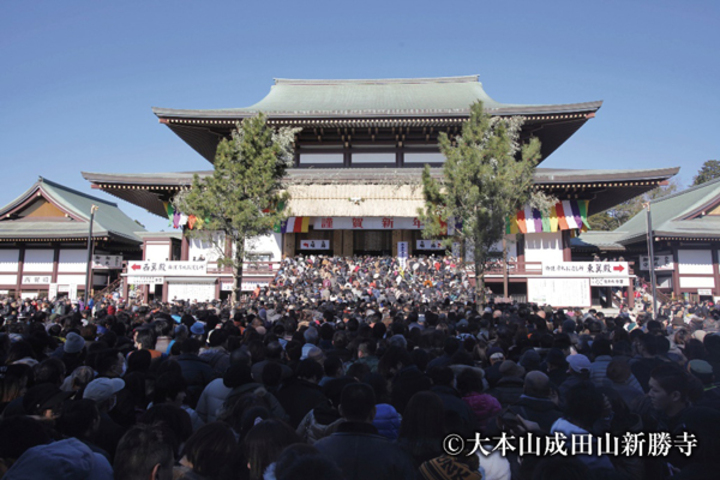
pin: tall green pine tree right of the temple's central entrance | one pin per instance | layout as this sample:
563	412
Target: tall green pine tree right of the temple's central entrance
487	176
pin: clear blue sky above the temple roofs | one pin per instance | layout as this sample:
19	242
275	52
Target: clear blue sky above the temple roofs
79	78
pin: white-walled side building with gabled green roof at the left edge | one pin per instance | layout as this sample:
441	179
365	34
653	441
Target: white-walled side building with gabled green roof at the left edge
44	238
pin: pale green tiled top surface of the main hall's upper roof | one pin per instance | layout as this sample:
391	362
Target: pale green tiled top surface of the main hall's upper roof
406	97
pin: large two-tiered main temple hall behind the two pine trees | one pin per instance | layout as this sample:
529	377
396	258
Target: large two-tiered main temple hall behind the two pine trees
355	185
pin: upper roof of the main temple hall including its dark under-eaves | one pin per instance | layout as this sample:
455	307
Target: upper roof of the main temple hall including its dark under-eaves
416	103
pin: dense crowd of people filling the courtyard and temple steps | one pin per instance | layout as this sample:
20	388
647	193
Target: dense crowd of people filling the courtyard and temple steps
354	369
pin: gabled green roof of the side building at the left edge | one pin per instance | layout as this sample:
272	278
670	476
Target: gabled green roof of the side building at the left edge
109	219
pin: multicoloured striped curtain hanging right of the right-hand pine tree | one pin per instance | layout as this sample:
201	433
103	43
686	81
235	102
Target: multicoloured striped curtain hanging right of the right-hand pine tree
564	215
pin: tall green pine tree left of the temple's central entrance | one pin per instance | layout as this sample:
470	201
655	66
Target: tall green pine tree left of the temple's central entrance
239	201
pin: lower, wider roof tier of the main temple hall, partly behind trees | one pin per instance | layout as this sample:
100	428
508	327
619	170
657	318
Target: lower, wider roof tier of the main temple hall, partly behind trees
604	188
